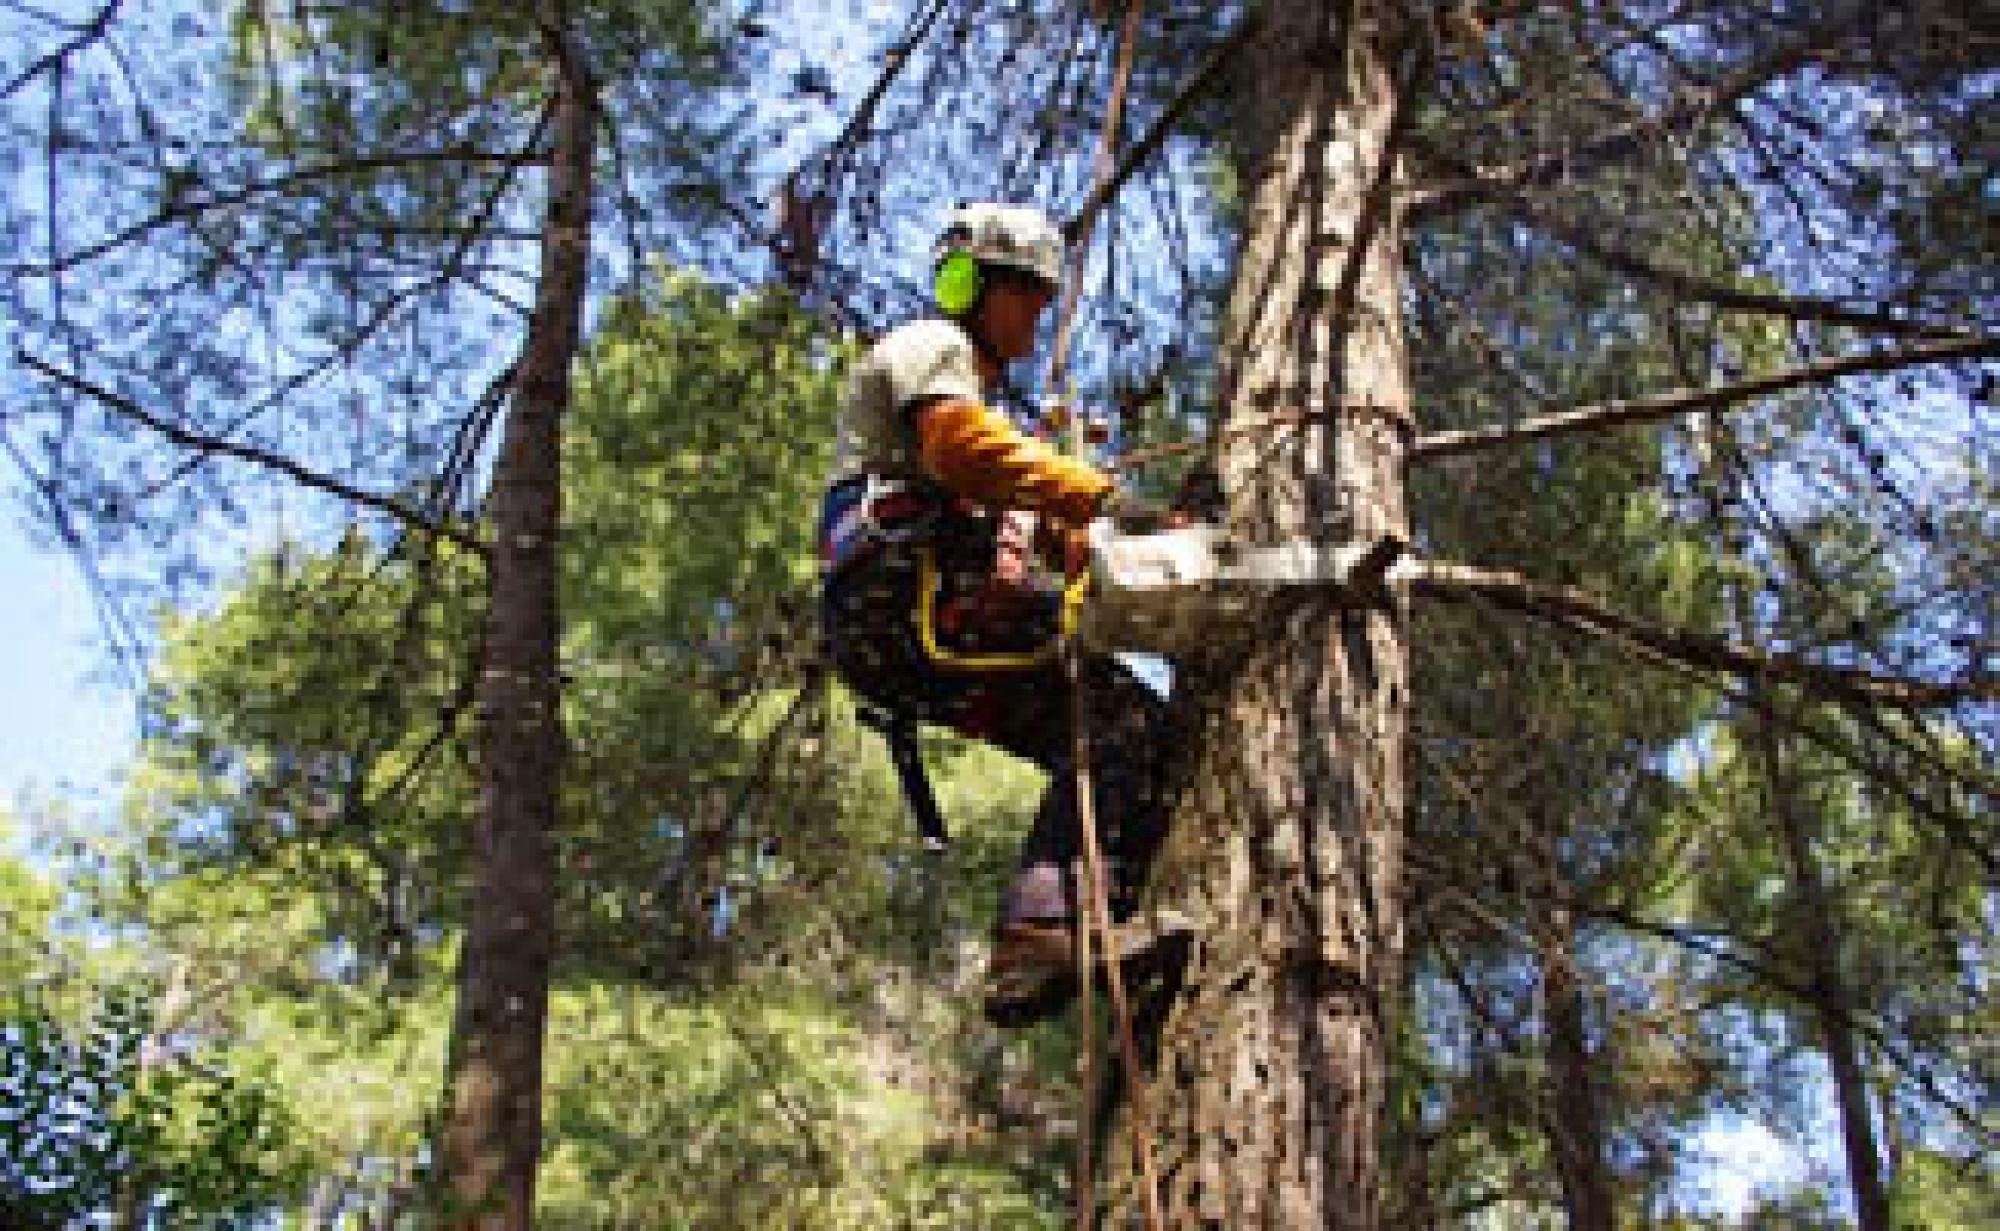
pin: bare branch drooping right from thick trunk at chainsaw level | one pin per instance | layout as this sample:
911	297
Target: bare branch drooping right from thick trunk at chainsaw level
1575	611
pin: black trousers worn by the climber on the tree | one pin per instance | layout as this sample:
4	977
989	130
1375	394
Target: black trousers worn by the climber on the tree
869	616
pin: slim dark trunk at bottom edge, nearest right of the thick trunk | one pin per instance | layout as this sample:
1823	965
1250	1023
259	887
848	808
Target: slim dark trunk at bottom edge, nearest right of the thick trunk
1575	1114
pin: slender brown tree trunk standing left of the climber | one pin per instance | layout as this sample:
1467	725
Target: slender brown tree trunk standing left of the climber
493	1132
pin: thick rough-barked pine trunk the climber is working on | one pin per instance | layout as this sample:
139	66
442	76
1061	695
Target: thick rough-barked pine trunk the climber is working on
1287	848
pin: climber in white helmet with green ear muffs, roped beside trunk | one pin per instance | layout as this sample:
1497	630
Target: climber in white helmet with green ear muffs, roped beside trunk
937	611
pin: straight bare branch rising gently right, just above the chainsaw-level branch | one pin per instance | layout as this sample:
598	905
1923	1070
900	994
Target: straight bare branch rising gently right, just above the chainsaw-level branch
1661	407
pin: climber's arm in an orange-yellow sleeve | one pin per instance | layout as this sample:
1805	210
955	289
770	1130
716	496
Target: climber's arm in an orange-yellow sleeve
983	457
